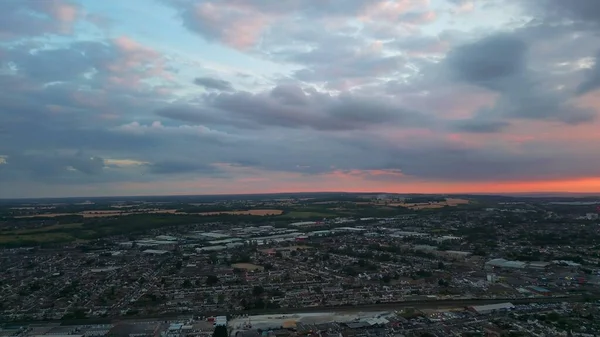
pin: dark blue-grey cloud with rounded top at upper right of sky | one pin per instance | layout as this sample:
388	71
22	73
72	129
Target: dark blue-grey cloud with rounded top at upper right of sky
501	63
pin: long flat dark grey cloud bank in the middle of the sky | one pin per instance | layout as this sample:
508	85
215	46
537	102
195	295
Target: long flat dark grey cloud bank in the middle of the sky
293	107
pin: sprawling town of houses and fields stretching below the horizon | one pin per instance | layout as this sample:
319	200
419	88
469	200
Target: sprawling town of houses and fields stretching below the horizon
427	266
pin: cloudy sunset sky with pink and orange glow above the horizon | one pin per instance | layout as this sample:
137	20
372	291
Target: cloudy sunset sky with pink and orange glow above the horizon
158	97
